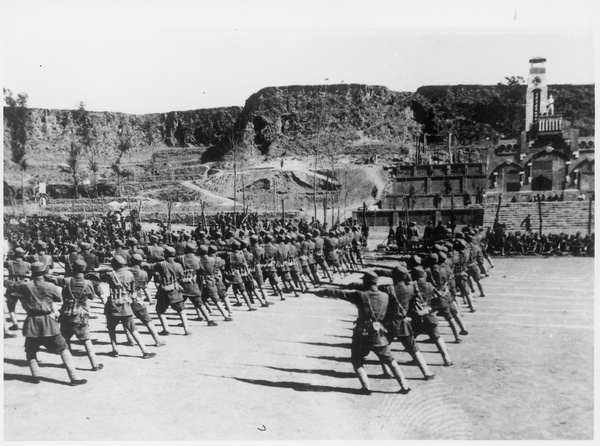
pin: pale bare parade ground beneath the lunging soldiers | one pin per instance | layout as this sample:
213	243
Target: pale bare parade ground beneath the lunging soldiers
525	371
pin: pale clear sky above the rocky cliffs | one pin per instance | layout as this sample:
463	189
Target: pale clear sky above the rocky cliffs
157	56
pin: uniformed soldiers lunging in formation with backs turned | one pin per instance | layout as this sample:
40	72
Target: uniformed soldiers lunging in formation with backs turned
202	268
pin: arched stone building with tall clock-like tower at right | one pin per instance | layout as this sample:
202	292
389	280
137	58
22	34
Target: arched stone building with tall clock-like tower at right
549	155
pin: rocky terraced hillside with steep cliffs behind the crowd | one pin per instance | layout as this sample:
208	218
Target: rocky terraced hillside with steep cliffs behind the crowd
200	147
